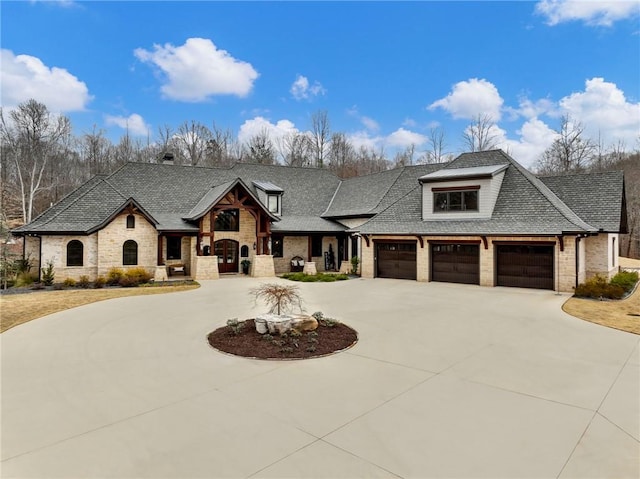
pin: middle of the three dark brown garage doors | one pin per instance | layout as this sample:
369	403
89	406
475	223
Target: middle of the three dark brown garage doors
455	263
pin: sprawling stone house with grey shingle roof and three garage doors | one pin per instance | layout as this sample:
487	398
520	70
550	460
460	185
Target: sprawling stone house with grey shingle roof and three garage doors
480	219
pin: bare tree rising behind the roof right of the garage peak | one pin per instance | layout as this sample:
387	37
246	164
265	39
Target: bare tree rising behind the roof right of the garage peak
569	152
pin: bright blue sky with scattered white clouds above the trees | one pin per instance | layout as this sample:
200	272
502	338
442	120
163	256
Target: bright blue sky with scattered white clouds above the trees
386	73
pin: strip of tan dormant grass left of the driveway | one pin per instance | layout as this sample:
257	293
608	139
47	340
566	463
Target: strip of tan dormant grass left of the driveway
17	309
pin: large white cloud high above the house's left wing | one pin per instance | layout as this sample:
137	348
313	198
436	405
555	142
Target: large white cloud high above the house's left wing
198	69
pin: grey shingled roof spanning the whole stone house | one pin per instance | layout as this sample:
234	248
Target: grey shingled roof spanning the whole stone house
313	199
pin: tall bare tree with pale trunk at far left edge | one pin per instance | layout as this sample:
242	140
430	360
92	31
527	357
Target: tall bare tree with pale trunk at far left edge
32	136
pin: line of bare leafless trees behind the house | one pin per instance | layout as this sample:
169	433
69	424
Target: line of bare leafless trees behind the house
42	160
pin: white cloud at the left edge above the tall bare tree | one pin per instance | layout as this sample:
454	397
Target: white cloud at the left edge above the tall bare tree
24	77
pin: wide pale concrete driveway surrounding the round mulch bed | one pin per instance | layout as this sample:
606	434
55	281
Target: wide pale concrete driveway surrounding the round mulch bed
445	381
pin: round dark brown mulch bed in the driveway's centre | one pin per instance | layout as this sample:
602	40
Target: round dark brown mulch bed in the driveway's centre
251	344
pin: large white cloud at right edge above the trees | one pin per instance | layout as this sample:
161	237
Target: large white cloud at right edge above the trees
603	110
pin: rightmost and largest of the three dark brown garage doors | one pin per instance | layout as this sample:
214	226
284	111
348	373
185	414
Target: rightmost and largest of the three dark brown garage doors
525	266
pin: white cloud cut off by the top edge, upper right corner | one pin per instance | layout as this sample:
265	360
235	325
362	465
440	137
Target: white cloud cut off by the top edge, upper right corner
601	13
